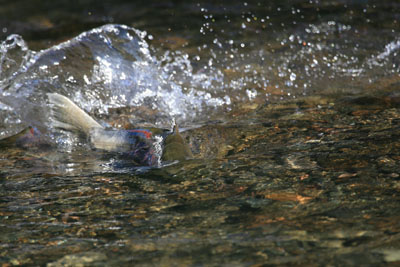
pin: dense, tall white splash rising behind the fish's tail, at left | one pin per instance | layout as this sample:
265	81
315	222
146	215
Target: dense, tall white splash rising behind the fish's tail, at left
104	68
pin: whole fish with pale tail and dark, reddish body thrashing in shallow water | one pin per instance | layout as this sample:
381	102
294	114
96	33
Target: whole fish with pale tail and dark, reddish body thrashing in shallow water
143	146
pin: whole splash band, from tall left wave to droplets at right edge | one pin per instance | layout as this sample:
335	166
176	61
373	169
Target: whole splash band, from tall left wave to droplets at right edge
113	67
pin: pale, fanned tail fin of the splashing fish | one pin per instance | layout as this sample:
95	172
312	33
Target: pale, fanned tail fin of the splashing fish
68	116
